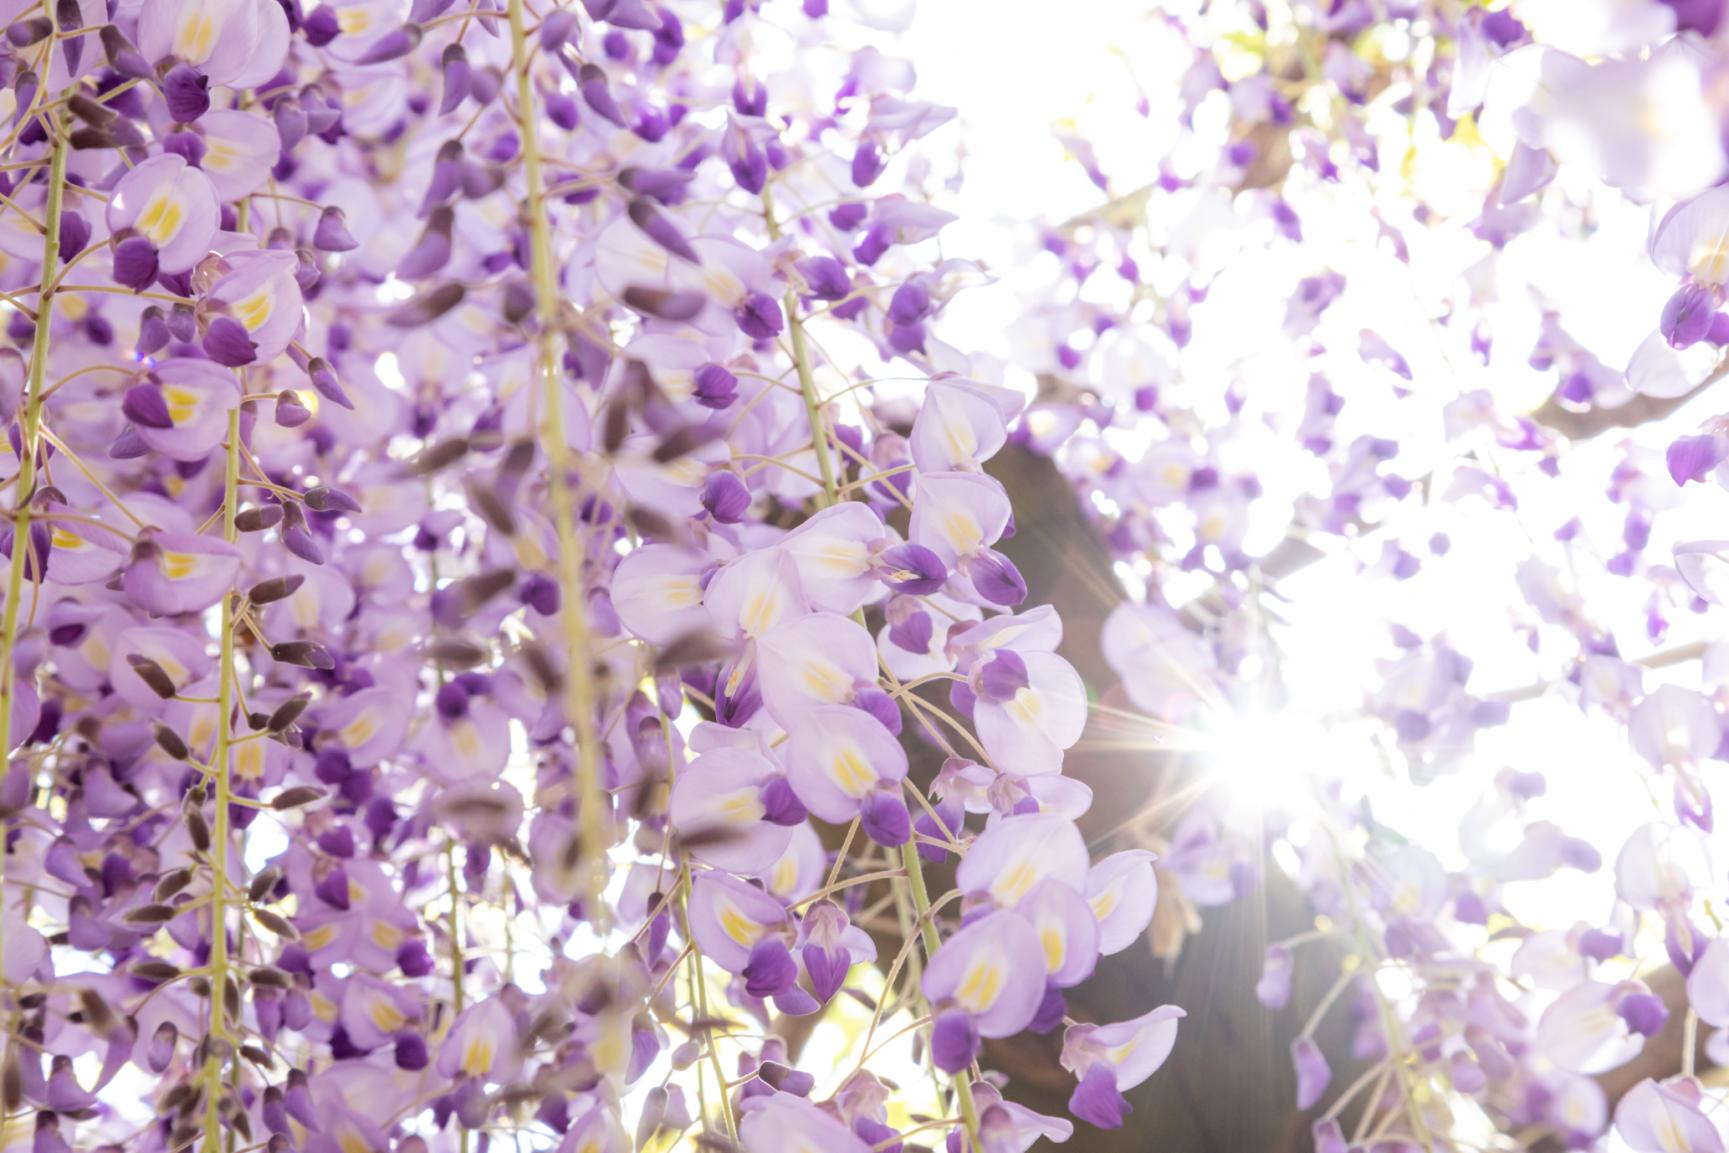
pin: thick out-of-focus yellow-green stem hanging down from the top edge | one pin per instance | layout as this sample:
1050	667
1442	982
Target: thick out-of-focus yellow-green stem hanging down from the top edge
573	606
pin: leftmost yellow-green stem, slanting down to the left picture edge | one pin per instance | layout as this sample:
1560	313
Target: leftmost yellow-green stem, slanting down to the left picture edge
27	468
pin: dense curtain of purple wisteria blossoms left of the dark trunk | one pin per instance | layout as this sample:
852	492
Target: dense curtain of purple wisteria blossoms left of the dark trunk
469	609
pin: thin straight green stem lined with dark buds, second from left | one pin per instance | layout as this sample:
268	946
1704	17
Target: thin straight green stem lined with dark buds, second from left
219	774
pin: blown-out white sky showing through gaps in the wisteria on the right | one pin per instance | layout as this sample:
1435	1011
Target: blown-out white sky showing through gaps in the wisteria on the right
1023	70
